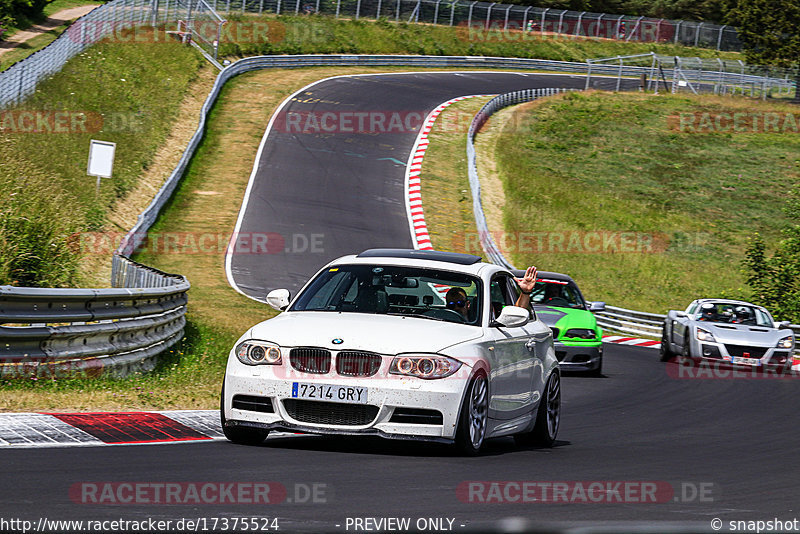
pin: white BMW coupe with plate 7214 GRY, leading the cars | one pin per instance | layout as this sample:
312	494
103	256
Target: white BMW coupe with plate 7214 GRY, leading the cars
402	344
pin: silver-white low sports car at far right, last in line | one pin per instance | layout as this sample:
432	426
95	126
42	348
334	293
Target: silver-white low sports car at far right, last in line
730	331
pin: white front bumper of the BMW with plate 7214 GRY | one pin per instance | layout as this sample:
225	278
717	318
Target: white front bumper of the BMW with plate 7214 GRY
268	392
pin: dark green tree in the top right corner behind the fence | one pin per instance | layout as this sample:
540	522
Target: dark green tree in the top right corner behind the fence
770	32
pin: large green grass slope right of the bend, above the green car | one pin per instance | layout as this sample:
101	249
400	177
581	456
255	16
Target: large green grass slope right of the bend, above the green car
580	166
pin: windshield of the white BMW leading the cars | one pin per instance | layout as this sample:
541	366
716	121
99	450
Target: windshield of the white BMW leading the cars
389	290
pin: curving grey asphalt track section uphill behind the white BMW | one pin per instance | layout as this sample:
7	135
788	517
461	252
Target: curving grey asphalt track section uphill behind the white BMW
323	193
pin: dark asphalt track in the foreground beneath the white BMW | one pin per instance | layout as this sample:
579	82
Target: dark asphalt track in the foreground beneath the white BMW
736	440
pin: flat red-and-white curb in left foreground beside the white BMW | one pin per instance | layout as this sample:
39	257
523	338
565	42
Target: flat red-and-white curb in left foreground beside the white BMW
29	430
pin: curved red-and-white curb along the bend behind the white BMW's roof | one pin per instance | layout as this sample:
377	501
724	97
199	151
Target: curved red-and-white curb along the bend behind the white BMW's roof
416	215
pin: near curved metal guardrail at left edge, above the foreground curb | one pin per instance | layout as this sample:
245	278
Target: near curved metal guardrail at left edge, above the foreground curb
49	332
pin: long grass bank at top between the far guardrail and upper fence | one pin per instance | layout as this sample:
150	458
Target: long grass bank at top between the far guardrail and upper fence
289	34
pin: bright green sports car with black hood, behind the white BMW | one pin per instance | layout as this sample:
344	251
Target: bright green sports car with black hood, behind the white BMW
559	304
